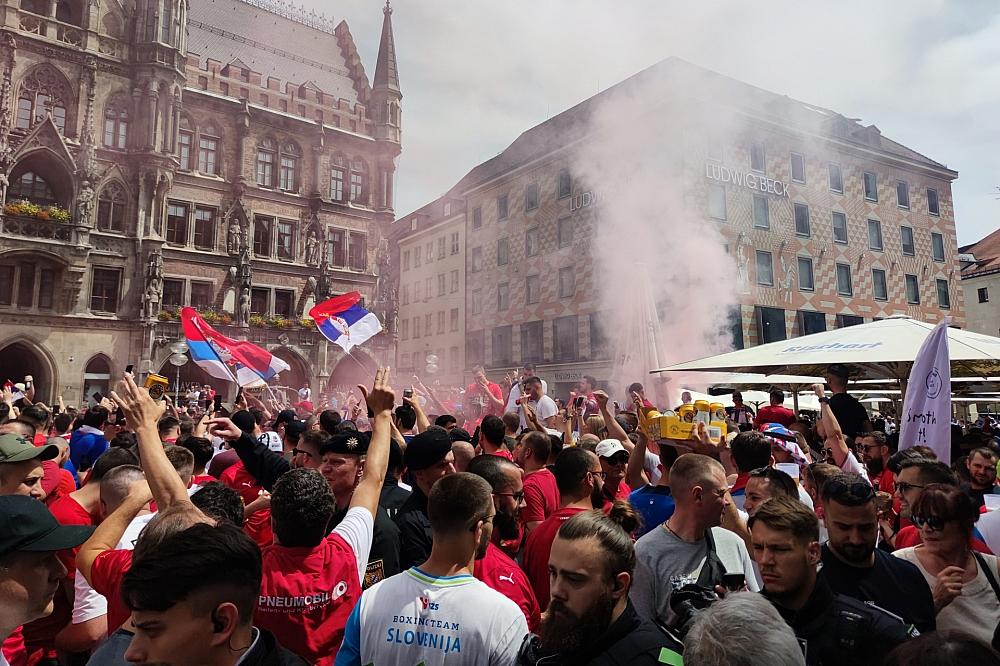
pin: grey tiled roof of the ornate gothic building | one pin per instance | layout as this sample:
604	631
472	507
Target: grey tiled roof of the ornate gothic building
294	47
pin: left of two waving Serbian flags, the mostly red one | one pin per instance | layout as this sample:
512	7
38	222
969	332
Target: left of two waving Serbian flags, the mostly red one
224	358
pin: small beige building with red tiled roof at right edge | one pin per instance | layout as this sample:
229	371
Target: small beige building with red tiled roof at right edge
981	284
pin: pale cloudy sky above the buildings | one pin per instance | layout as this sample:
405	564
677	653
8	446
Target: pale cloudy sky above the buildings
476	74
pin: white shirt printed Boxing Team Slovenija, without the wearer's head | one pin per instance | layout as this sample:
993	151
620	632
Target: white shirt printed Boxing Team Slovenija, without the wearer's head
413	618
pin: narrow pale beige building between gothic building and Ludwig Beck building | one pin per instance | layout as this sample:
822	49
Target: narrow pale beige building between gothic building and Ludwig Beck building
431	266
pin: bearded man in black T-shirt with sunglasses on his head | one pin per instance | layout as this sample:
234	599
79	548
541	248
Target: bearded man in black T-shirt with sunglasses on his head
852	565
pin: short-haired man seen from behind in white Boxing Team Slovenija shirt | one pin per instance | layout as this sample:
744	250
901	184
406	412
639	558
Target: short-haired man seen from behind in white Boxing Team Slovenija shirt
437	612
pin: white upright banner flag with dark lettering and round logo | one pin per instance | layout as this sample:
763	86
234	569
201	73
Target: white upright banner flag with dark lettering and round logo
926	418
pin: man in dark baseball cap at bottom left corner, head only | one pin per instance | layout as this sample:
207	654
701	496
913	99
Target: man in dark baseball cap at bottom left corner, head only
30	572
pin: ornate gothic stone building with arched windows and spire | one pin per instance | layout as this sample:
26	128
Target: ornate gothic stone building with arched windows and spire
230	155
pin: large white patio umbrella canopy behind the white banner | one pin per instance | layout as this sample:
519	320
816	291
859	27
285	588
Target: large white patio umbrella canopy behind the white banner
879	350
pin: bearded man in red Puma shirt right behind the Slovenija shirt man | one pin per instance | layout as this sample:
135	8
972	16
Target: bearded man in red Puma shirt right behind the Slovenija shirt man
495	568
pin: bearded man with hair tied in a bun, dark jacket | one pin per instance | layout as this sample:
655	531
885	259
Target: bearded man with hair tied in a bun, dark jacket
590	619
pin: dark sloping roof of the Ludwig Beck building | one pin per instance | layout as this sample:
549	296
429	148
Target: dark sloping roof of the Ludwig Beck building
677	74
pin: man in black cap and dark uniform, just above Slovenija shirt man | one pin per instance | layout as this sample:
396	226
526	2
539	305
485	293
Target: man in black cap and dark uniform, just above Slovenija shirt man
429	457
